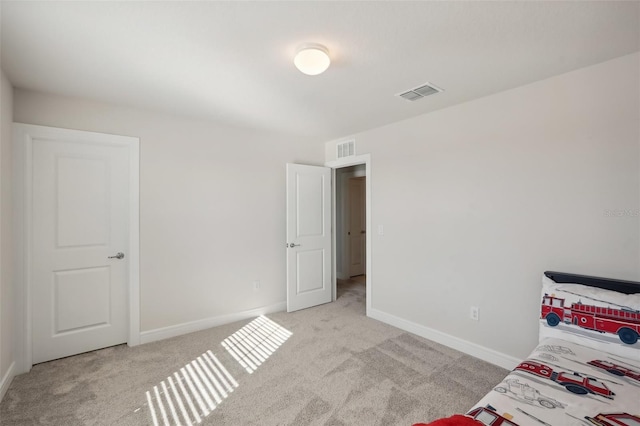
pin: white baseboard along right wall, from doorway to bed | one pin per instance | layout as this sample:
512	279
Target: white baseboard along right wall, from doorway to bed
473	349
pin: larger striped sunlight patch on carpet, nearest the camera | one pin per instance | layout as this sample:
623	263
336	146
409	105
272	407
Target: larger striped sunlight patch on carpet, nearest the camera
192	393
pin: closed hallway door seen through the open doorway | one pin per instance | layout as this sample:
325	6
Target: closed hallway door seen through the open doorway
357	226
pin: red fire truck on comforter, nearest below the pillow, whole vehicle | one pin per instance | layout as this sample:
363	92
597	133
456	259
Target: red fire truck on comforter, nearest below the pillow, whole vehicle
573	382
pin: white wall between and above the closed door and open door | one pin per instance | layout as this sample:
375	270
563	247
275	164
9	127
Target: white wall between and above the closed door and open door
212	206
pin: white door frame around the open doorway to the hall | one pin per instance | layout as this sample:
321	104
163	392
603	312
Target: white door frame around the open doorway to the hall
339	164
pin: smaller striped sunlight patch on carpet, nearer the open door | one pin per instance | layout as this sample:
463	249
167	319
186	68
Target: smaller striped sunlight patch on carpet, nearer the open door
255	342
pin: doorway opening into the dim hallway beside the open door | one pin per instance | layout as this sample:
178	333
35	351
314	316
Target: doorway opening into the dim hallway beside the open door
351	230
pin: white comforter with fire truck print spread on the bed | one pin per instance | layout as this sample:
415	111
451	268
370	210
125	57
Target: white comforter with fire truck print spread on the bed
564	383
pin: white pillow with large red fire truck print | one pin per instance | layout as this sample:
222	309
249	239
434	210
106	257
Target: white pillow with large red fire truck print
601	319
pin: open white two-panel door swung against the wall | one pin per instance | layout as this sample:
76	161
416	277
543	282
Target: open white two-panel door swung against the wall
308	236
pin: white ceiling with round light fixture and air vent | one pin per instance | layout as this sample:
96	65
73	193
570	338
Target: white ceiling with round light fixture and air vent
232	62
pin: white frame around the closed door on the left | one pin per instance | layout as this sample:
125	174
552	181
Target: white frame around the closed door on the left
23	219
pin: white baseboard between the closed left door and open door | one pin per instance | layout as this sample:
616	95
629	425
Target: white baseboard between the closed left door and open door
203	324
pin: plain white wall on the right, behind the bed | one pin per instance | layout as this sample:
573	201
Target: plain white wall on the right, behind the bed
479	199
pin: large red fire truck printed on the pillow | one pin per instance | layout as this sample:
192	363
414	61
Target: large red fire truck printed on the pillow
625	323
